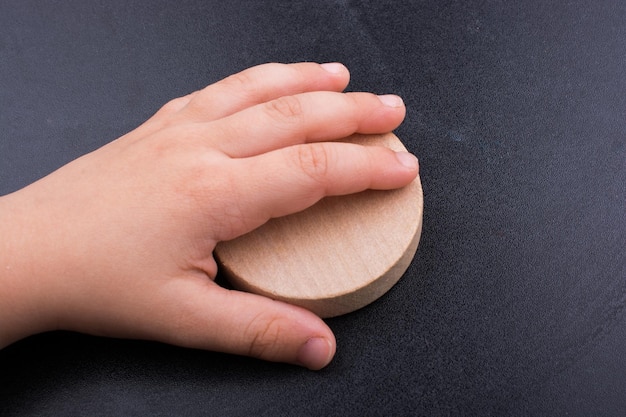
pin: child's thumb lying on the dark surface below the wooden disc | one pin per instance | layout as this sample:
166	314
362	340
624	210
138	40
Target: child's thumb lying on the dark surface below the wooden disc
207	316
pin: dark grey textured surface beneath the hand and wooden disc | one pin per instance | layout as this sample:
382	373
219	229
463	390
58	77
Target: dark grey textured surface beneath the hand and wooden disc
514	304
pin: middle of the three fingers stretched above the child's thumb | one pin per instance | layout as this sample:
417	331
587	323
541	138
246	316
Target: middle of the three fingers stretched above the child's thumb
302	118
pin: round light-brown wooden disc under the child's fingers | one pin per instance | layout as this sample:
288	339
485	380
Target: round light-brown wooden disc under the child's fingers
335	257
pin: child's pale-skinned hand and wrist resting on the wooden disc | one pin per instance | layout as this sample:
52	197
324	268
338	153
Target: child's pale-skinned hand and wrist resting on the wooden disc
119	242
